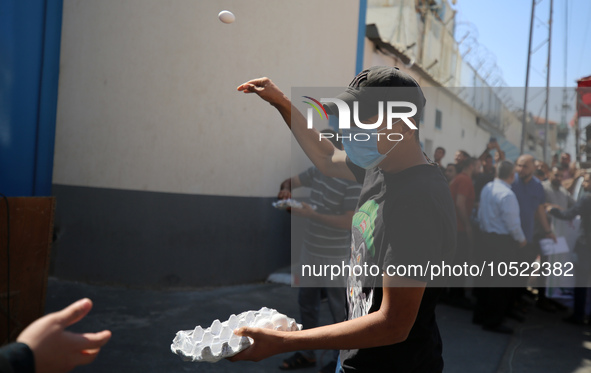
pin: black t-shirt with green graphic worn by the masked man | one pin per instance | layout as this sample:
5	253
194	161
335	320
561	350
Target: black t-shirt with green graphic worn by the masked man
407	218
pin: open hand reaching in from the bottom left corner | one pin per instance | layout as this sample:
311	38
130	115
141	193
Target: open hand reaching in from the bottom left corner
57	350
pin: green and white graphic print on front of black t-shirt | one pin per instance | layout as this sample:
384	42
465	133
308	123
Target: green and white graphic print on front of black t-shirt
362	251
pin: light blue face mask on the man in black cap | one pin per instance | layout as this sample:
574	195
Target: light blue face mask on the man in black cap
363	149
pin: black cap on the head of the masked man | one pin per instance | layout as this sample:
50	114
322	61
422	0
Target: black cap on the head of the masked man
380	83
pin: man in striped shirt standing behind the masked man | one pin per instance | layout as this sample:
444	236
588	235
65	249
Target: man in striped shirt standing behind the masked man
326	242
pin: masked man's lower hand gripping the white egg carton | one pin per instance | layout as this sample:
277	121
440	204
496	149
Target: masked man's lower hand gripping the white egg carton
267	342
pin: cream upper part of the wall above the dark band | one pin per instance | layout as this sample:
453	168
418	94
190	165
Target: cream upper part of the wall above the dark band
147	90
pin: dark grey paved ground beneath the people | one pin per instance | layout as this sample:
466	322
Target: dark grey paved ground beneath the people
144	322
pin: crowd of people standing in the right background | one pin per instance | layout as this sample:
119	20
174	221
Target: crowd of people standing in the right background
503	211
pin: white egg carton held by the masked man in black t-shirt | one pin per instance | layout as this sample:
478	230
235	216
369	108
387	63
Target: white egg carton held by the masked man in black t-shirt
219	341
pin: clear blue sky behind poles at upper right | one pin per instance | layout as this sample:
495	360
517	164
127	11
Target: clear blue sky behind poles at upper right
503	28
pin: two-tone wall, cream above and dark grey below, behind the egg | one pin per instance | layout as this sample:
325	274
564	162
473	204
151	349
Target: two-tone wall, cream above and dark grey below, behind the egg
150	125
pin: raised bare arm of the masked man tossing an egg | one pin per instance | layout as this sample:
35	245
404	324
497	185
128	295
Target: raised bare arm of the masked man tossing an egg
329	160
